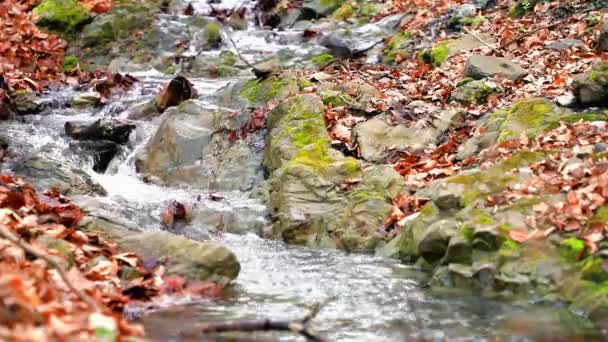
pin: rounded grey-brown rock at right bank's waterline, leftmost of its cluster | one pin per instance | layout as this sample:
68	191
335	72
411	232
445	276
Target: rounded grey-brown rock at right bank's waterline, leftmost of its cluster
434	243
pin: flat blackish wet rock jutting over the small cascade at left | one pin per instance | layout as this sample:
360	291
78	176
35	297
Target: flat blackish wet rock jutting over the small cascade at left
101	129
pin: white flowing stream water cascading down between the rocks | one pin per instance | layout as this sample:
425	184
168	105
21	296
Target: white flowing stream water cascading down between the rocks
372	299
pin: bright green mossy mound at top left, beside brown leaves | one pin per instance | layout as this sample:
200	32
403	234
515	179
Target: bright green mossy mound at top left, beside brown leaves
61	16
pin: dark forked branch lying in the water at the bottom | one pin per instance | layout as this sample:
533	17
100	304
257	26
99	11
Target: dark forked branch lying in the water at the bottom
301	327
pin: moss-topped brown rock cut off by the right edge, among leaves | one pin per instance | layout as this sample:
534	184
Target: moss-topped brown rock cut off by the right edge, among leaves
592	88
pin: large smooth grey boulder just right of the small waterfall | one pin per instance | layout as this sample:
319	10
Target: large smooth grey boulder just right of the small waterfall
193	146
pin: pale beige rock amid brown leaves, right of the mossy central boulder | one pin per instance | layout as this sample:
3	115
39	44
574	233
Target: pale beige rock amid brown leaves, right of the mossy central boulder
376	135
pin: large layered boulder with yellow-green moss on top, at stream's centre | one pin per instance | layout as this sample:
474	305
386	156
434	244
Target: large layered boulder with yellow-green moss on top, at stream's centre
307	206
